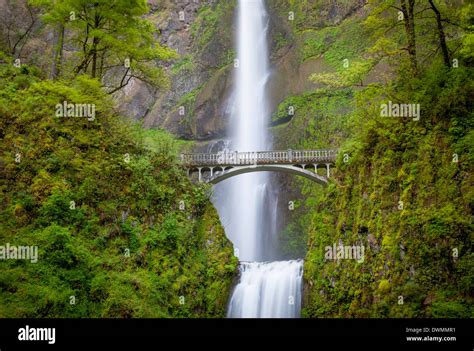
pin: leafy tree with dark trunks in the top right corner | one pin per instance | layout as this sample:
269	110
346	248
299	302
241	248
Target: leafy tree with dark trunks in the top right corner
424	24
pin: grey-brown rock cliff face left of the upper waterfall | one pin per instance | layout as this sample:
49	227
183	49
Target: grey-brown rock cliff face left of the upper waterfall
200	80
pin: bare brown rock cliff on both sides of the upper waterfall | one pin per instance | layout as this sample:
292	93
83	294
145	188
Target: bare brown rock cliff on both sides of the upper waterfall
197	105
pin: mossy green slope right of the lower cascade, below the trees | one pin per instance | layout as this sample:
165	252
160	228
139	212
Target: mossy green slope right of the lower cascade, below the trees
409	251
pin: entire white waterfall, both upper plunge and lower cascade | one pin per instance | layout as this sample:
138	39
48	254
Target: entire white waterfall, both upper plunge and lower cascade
246	203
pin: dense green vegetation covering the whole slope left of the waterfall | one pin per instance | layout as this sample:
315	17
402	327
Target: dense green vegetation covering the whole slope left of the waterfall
120	230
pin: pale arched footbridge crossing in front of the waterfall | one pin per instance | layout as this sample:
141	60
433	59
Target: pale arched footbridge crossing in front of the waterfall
215	167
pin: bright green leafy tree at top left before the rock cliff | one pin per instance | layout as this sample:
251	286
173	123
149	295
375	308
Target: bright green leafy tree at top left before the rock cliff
112	41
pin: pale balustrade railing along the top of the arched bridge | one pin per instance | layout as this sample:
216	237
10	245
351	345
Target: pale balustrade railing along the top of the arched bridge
234	158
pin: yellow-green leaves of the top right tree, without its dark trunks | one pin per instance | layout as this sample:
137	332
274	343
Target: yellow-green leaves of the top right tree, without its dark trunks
387	27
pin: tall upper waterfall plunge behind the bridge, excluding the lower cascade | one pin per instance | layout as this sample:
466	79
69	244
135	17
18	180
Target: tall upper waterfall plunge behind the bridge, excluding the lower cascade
244	202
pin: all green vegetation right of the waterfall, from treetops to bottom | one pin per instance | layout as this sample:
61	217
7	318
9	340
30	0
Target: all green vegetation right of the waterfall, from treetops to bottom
402	187
